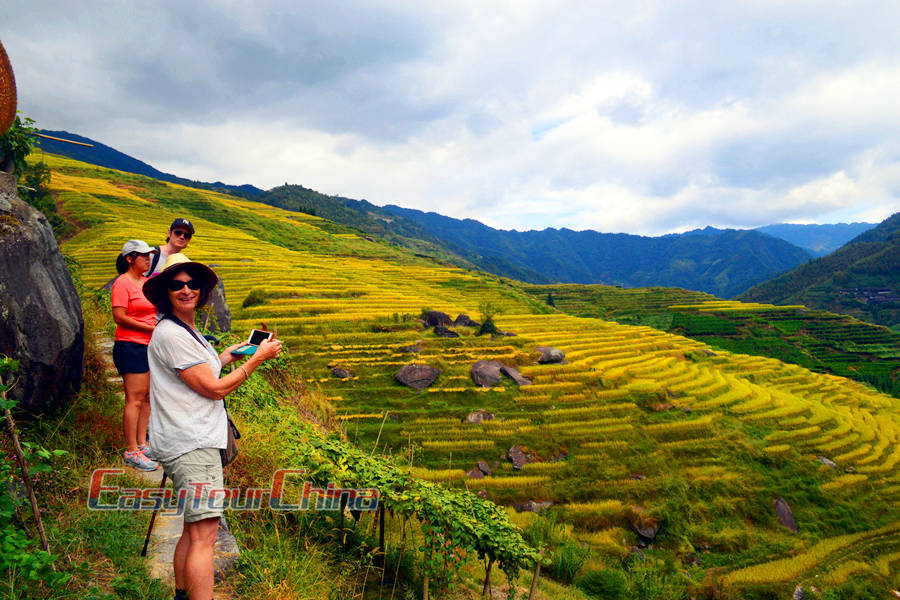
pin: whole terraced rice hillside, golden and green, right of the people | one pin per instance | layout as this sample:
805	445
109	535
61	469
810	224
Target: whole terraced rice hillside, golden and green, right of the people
645	447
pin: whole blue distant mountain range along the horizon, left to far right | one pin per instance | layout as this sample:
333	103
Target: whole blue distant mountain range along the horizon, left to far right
717	261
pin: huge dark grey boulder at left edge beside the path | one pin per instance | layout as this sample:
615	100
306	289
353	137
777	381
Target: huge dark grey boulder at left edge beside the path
40	312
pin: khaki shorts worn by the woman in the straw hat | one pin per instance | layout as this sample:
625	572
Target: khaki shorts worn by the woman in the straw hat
198	472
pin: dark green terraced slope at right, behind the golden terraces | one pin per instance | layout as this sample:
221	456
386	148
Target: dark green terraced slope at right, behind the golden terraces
818	340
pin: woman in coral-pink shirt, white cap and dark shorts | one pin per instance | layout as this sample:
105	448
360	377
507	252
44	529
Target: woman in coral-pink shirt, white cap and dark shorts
135	319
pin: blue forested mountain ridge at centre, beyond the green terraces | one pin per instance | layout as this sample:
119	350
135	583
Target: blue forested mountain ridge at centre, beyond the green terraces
723	263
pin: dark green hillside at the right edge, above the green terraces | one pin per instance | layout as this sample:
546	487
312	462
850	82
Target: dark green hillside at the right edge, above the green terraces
861	279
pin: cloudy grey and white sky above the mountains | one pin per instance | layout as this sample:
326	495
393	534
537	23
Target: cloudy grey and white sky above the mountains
638	117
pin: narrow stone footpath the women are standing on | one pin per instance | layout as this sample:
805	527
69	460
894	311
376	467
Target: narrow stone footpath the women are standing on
167	529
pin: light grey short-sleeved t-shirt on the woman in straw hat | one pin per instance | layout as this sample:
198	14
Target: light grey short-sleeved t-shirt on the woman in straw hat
181	420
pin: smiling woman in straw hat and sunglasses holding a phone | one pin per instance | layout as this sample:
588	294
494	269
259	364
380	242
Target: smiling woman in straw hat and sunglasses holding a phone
187	418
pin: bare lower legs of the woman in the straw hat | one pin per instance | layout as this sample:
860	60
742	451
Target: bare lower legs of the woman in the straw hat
193	564
